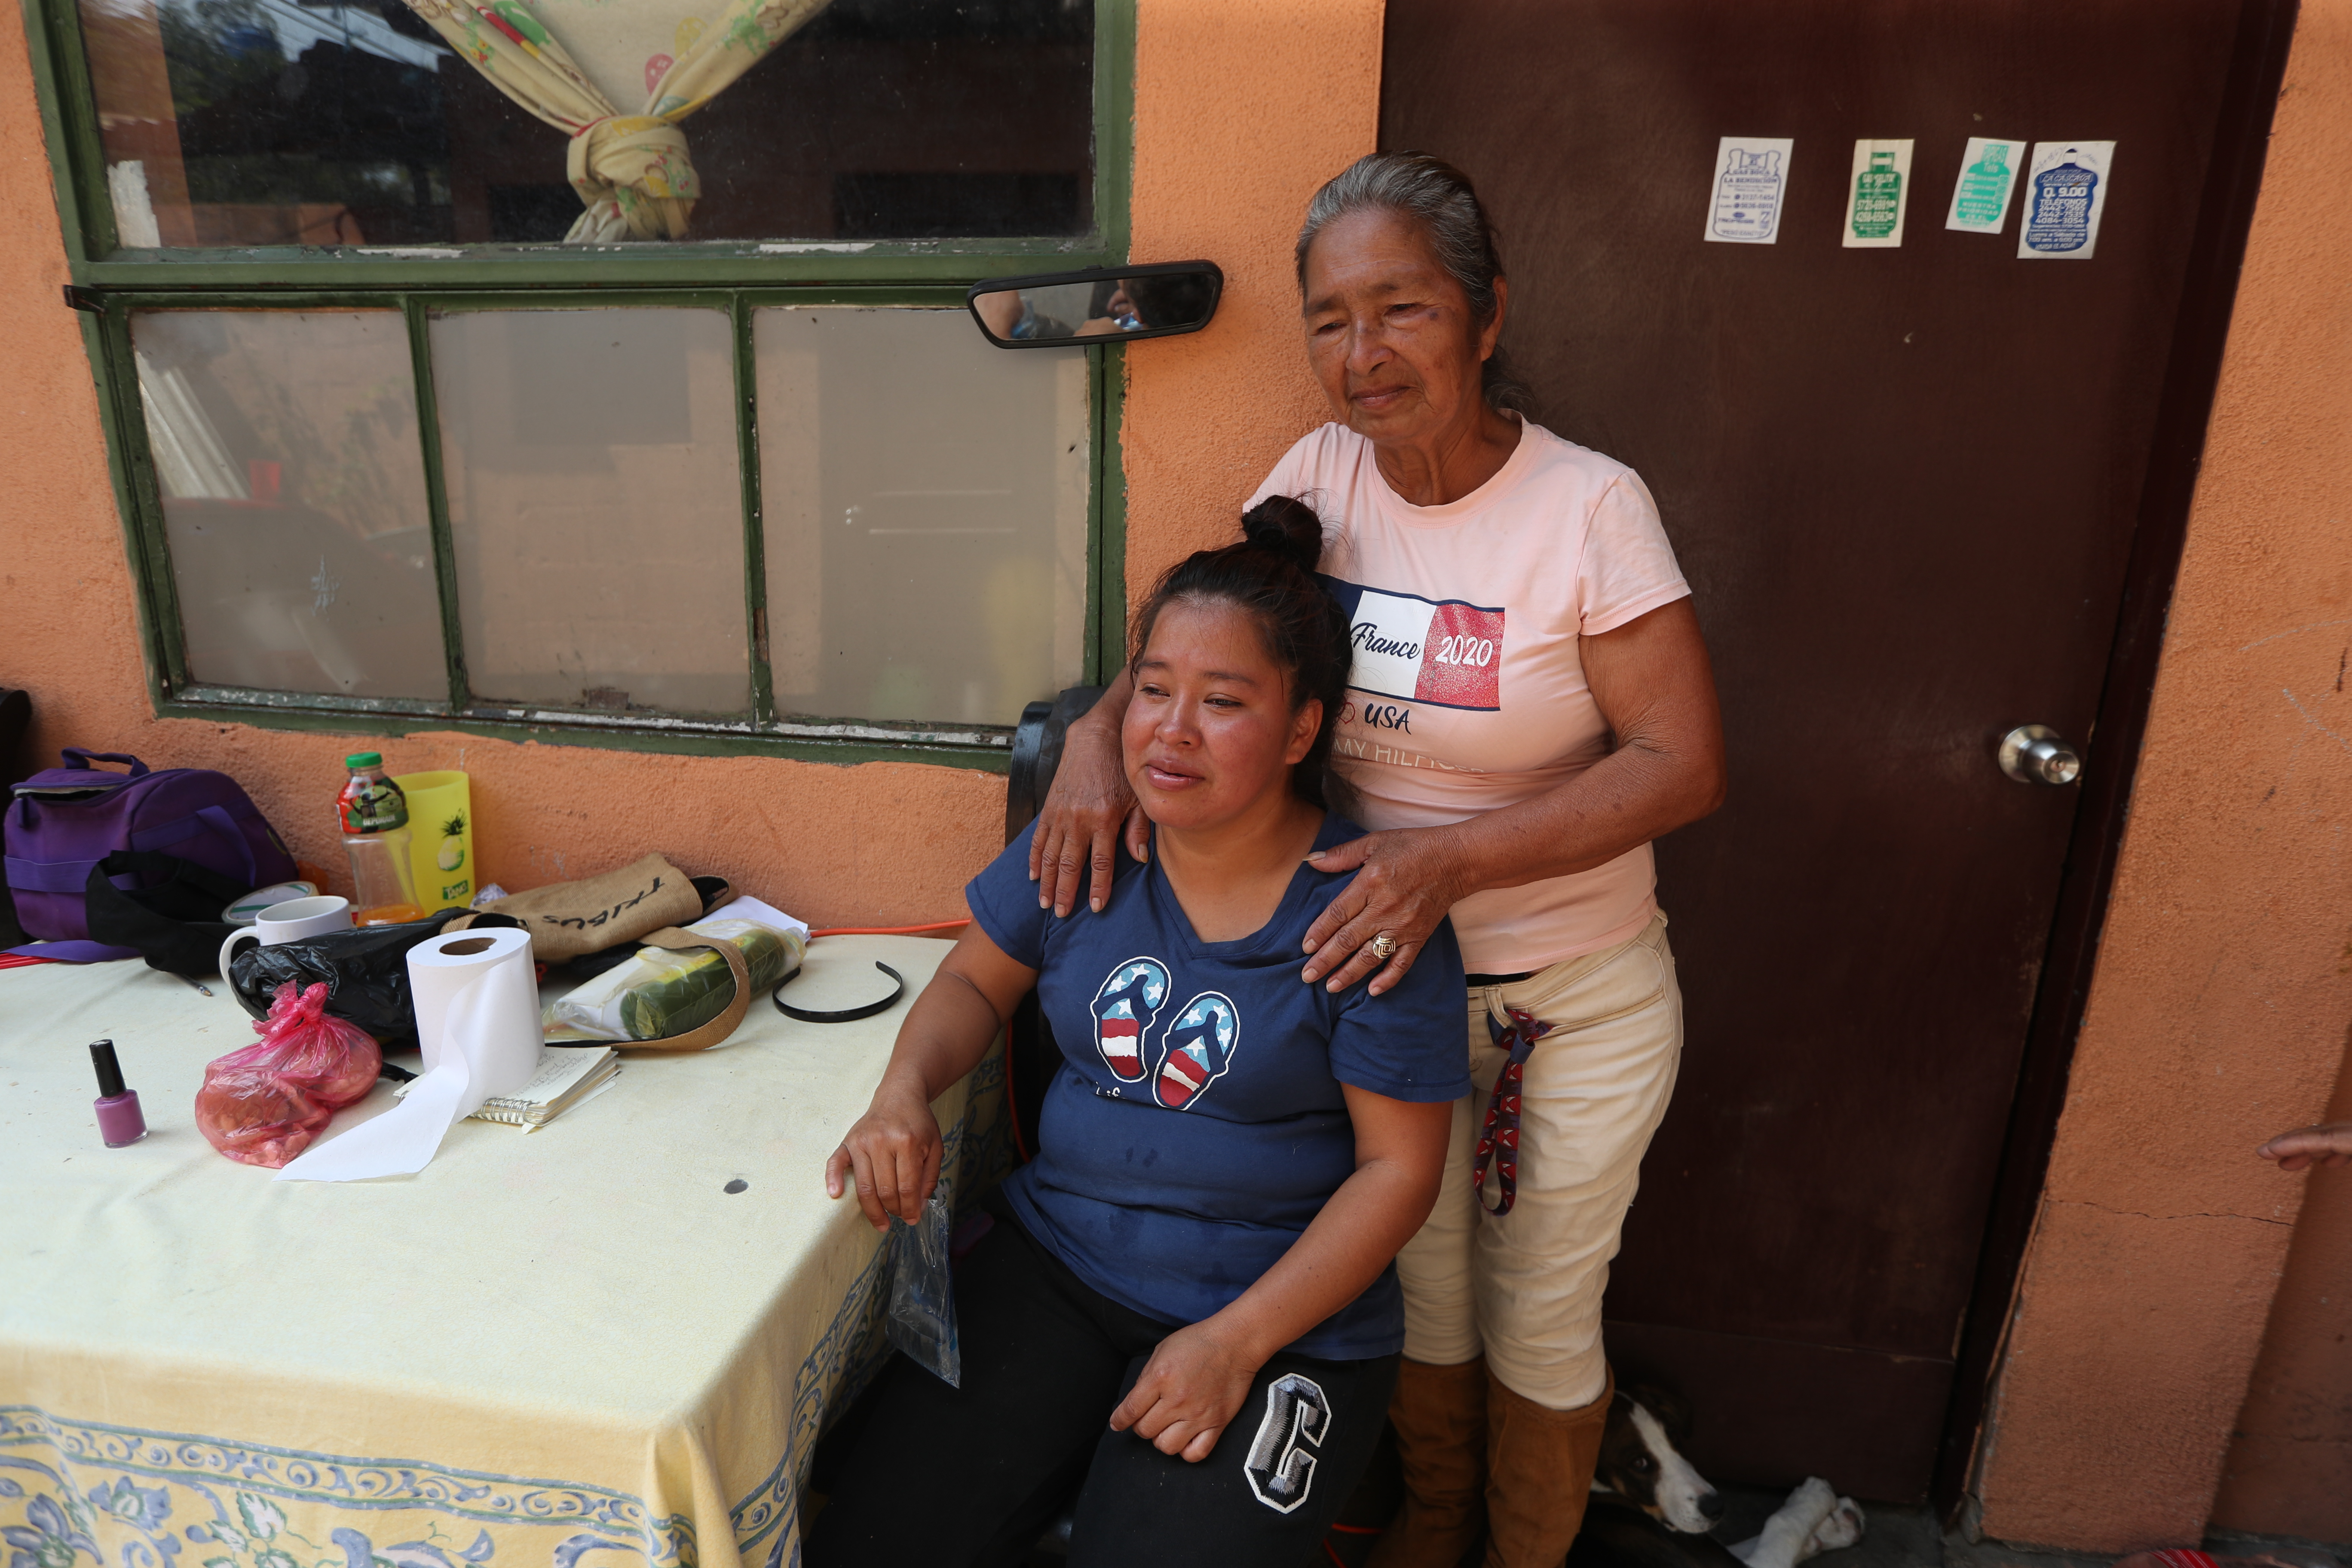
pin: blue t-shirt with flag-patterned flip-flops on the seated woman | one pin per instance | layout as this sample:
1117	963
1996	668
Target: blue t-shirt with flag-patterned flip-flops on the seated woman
1196	1125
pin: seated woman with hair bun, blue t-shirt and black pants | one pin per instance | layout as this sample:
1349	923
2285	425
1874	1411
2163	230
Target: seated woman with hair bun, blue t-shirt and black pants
1187	1301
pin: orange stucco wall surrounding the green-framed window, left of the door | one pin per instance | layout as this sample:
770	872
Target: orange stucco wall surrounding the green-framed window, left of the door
1241	109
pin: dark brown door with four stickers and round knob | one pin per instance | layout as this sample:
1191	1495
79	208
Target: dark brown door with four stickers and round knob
1904	485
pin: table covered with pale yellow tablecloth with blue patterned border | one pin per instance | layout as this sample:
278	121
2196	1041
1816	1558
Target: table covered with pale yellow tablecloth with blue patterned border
566	1348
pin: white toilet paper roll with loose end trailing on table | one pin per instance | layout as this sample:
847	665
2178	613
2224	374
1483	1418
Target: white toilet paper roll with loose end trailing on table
479	1024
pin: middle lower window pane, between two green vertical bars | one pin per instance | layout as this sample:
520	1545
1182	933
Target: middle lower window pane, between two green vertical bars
596	507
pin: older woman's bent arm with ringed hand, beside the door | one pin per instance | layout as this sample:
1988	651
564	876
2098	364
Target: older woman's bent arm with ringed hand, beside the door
1657	690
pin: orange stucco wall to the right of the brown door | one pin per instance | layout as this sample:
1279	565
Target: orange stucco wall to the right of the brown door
2224	981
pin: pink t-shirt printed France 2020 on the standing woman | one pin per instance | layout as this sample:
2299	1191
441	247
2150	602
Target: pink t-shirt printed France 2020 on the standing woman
1469	690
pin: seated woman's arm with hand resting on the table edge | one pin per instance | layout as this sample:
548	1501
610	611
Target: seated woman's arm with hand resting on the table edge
895	1148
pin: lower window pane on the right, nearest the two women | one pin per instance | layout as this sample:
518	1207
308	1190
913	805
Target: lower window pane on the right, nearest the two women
926	507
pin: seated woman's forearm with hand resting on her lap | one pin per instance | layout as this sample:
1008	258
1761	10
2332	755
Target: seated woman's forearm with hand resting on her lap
1196	1381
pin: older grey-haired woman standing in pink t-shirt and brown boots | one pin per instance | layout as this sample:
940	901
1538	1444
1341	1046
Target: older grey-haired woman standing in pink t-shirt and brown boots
1530	709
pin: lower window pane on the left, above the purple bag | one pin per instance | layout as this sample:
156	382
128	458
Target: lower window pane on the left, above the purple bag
295	500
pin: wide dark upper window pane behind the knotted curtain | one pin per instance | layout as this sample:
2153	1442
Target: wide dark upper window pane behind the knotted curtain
359	123
